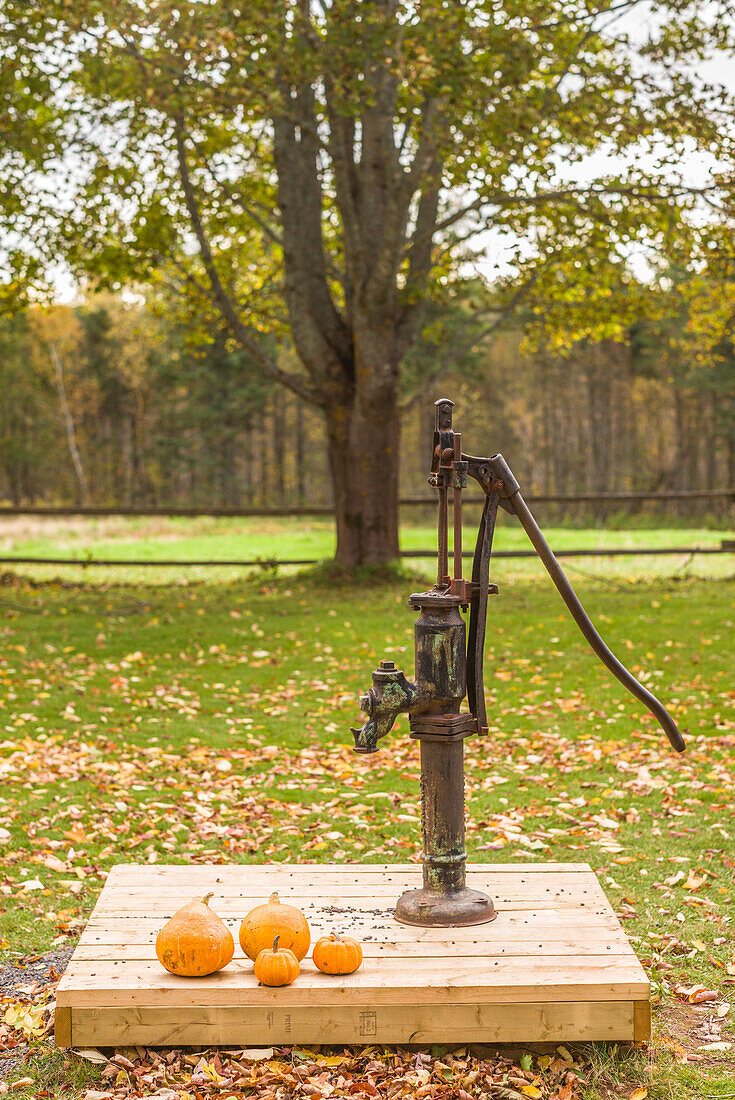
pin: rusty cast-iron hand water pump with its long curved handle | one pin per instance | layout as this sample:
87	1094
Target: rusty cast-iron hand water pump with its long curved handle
449	667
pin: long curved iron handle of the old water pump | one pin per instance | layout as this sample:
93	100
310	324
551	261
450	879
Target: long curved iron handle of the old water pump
499	469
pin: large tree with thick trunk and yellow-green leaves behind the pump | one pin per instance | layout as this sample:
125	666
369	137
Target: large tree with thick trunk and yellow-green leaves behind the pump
324	173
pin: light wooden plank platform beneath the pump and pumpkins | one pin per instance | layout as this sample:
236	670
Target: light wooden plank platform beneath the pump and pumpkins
554	966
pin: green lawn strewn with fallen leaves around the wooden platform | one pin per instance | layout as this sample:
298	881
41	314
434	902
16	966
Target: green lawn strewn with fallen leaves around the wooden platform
211	723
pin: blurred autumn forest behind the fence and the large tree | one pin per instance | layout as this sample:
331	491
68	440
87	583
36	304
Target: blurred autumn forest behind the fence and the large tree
115	403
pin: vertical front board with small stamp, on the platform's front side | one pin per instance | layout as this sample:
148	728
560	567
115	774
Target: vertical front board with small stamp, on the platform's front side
203	1026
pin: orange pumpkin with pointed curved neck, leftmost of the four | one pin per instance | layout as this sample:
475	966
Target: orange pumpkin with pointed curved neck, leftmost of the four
195	942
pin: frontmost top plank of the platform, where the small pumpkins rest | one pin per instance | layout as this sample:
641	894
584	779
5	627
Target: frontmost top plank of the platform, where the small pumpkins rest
386	982
